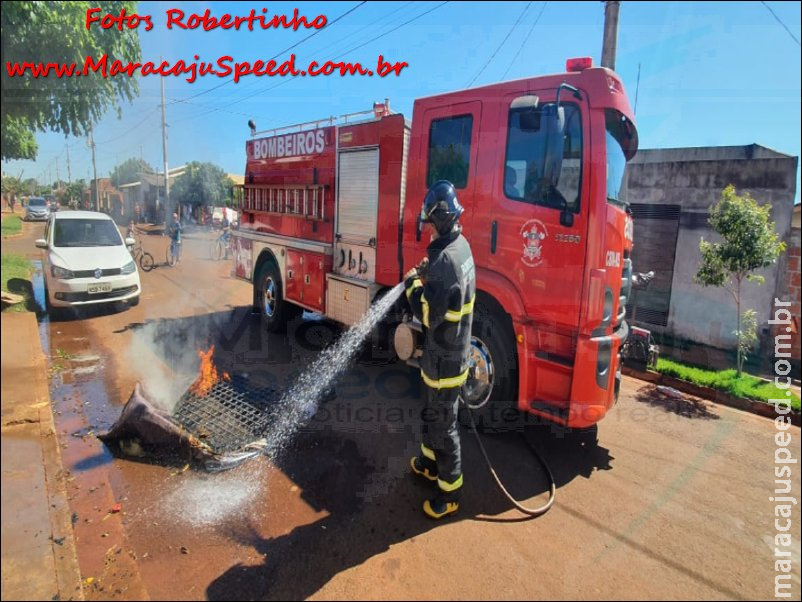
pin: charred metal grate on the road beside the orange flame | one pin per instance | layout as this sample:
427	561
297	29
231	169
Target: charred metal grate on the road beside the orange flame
230	416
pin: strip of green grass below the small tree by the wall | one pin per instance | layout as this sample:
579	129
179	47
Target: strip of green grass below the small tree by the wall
746	387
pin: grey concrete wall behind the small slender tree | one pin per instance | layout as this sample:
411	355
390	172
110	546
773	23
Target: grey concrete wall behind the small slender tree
694	179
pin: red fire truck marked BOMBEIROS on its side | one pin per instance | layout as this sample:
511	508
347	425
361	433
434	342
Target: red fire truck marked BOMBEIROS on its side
330	220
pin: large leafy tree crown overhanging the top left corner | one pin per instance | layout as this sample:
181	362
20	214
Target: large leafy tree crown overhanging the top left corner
42	32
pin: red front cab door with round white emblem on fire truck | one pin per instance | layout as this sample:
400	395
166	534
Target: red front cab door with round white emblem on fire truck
534	237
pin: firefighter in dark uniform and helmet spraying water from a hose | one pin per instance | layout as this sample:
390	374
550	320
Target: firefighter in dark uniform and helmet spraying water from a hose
440	291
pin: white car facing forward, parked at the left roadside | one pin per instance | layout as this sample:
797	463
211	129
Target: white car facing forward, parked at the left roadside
86	261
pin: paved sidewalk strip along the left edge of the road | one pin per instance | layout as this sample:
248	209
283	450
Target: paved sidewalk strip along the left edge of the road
38	548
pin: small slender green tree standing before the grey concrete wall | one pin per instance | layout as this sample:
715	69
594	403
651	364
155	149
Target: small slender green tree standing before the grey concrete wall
749	242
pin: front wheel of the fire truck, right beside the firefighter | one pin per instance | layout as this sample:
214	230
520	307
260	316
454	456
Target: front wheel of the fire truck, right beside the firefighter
491	391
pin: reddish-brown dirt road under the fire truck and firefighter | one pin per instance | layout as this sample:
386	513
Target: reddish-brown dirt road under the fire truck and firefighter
672	503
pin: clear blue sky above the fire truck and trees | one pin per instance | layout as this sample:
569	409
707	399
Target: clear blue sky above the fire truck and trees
697	73
